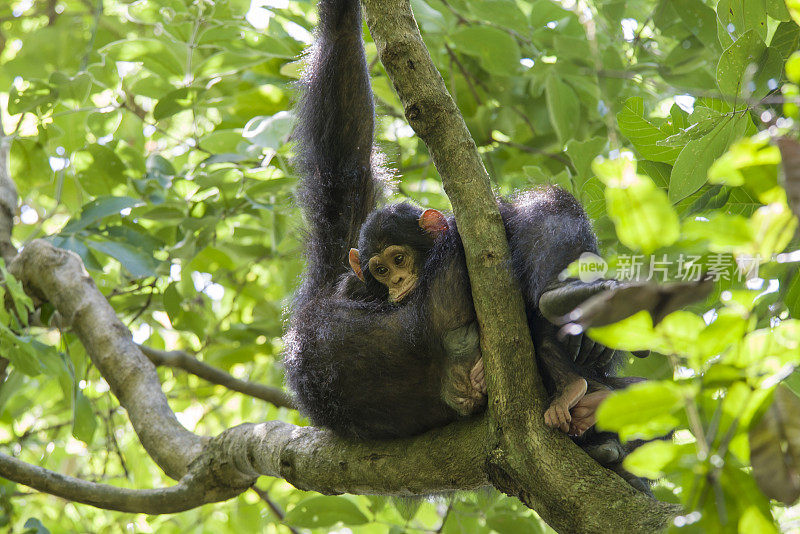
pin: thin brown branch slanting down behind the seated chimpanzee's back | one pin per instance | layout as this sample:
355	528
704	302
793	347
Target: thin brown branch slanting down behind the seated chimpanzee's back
179	359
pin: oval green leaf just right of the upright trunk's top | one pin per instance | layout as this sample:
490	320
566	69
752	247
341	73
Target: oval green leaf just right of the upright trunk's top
496	50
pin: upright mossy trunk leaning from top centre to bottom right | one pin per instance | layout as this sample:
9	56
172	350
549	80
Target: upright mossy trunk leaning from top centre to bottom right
540	466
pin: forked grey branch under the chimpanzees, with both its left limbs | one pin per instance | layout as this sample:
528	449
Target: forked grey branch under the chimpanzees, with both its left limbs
215	469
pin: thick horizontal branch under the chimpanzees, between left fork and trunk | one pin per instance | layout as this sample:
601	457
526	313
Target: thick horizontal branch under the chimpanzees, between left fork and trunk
445	459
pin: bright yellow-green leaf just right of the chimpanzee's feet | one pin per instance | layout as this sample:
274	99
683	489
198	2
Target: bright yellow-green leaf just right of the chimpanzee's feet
644	410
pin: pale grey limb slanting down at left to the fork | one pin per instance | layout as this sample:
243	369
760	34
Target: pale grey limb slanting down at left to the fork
59	277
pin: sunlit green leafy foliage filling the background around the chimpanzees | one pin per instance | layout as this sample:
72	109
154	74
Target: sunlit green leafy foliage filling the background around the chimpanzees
151	137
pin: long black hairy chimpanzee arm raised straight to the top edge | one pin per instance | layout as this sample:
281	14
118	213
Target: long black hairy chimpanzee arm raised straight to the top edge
341	181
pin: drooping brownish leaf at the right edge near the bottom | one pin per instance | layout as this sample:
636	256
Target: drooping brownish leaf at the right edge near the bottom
775	447
